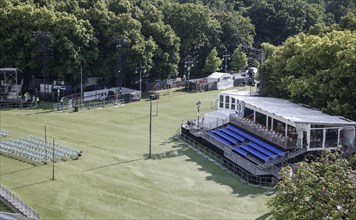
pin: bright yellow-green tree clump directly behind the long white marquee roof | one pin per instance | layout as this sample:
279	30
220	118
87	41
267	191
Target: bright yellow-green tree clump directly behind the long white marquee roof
316	70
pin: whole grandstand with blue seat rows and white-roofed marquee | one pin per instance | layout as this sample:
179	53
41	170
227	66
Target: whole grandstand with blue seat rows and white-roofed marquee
255	136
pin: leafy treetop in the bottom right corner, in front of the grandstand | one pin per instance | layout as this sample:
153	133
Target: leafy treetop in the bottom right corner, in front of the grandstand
321	189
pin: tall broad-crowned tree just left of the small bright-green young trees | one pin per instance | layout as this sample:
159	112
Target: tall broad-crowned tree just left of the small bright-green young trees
196	27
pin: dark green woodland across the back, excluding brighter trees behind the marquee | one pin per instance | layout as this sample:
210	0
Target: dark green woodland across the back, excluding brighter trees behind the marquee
160	33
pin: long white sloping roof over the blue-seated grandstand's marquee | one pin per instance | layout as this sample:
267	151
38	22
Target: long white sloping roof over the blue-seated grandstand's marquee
289	110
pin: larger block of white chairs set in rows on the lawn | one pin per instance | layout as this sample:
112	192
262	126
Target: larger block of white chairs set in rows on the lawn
37	150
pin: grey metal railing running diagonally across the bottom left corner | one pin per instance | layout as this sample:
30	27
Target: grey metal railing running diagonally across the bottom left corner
17	204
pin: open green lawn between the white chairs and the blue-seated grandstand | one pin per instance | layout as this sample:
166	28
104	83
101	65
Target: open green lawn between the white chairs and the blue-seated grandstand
114	179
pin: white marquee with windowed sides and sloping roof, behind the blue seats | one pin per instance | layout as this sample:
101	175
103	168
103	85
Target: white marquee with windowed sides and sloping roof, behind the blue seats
287	124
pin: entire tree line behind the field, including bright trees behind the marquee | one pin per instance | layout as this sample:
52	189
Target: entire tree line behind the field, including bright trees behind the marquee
162	34
